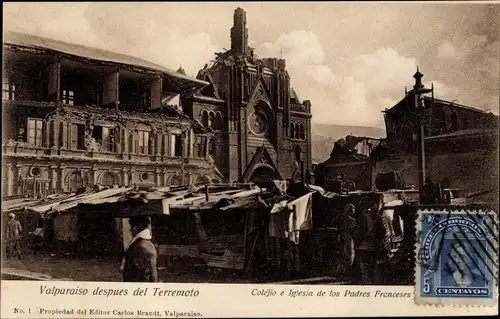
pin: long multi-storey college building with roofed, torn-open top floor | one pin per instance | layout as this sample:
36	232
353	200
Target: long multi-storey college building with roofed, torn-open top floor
74	117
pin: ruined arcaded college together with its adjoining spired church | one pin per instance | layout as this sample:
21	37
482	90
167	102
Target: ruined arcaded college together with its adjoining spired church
76	117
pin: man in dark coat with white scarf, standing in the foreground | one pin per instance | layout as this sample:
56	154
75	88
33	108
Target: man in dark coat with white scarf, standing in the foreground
139	263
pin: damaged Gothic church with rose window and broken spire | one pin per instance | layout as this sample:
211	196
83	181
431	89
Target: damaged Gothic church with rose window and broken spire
262	129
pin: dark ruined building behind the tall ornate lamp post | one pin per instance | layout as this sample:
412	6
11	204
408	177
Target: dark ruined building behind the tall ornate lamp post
461	145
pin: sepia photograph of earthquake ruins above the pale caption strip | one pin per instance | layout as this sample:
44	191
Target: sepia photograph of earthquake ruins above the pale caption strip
252	143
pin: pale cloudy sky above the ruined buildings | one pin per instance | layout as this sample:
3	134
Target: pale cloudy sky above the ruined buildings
352	60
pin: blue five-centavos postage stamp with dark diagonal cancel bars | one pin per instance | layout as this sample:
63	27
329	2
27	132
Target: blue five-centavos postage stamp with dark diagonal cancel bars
457	257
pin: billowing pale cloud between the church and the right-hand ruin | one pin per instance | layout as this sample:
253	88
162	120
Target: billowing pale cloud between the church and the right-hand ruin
372	82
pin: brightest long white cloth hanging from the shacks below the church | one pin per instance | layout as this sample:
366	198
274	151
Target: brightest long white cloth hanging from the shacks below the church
300	217
